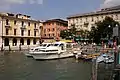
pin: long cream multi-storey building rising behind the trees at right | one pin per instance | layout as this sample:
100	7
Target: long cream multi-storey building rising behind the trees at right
87	20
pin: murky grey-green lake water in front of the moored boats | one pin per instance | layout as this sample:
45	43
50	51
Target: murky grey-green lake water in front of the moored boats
16	66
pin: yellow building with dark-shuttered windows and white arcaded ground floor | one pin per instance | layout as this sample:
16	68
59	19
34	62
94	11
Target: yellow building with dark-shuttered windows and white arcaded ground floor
18	30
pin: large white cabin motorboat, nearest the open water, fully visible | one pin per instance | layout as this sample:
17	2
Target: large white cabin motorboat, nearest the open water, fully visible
57	51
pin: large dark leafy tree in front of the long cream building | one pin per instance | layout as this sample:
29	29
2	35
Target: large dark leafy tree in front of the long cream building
103	29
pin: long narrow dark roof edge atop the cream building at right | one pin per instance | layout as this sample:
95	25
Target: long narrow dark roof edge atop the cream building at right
94	13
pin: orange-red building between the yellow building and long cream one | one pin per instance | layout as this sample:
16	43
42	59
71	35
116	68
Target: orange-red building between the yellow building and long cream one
53	27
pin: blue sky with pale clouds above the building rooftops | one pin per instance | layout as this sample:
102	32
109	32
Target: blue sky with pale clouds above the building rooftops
49	9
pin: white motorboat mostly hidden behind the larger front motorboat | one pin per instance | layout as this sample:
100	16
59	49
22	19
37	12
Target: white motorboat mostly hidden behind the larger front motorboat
42	46
